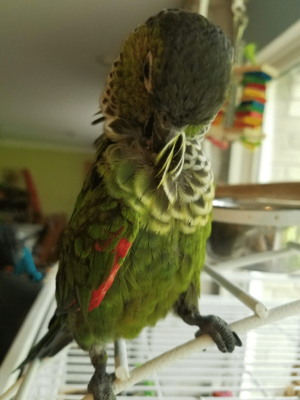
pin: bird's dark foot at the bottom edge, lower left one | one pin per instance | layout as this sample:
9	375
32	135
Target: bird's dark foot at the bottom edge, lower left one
100	385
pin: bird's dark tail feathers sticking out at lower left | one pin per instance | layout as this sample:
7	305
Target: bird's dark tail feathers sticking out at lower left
57	337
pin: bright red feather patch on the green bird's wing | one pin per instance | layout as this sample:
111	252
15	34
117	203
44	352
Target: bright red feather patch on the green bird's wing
98	295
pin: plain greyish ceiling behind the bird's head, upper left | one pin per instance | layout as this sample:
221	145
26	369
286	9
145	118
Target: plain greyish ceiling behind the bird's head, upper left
54	58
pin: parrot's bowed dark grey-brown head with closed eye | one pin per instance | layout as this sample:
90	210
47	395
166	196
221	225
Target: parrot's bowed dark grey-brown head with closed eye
172	75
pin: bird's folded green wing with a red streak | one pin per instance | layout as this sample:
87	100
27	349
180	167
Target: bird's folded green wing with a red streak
96	242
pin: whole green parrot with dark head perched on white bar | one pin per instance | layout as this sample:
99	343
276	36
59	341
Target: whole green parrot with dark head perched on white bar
135	244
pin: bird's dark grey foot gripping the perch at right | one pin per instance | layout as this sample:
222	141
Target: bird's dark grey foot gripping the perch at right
219	331
